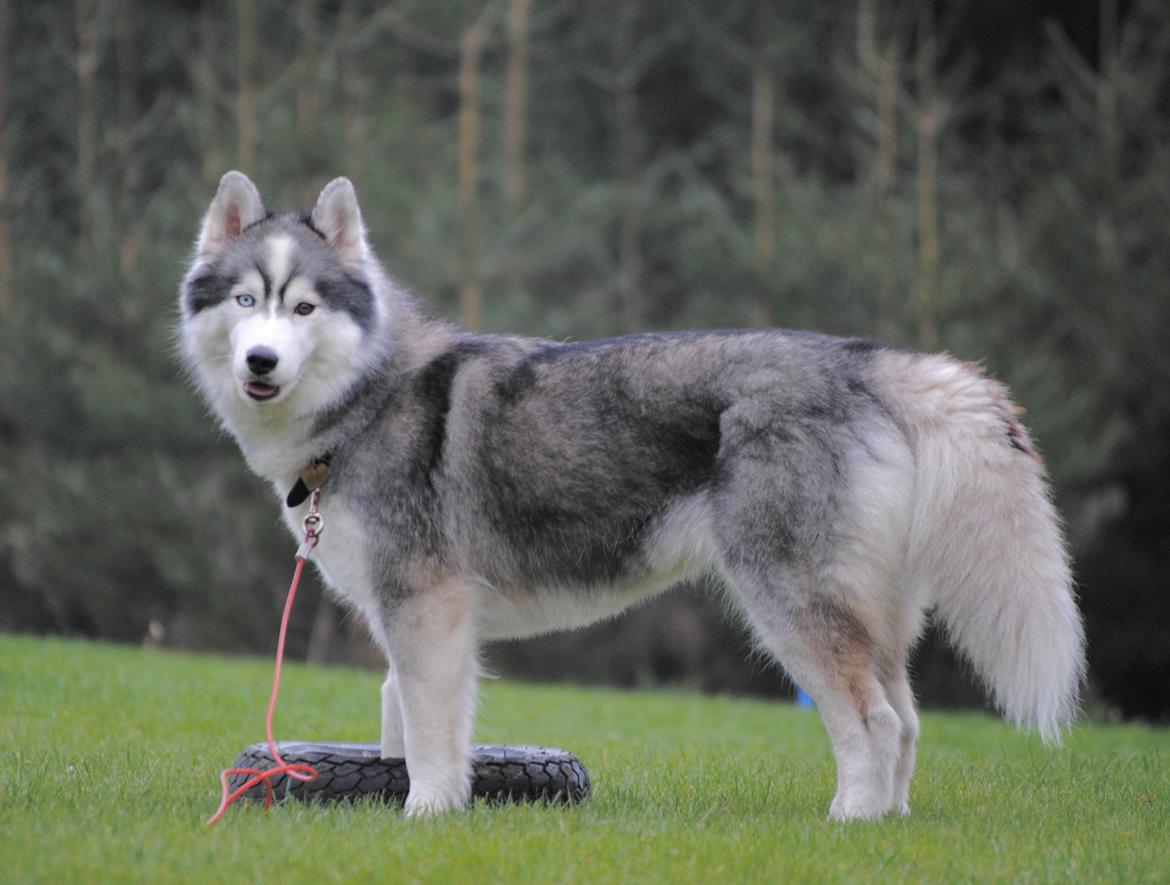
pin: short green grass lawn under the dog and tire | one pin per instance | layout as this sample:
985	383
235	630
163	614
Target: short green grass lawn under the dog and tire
109	759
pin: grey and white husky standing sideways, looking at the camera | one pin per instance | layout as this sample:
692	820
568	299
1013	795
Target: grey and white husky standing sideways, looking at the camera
485	486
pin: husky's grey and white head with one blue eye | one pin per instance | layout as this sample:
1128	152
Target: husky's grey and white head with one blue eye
277	308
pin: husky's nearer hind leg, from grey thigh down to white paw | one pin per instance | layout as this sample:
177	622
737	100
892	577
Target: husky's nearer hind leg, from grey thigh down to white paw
813	519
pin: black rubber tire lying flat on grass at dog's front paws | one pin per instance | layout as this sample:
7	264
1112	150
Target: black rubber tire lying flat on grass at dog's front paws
348	772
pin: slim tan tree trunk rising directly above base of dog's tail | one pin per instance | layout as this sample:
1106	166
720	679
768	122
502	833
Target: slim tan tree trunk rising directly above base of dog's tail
928	180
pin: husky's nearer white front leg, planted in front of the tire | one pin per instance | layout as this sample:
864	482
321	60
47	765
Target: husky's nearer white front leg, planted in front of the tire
431	636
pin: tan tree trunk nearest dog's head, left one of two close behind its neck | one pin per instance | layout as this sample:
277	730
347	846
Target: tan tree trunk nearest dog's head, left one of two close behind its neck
470	287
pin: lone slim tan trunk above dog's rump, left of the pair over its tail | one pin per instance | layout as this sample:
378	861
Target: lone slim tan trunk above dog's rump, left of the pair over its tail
763	167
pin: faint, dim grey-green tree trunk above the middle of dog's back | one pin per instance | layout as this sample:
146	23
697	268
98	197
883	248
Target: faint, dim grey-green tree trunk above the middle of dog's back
630	150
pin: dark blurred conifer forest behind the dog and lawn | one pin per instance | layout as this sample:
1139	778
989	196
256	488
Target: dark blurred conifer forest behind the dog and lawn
989	177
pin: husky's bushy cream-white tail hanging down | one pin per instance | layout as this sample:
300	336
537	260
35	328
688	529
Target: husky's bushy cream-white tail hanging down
986	544
